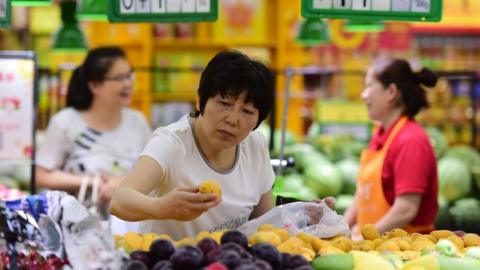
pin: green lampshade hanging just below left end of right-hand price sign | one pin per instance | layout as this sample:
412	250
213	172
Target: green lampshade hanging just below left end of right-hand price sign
313	31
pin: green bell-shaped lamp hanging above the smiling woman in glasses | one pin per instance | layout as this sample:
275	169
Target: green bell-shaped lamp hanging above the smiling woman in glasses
69	37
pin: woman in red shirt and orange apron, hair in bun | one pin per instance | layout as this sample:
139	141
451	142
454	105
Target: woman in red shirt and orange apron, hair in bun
398	184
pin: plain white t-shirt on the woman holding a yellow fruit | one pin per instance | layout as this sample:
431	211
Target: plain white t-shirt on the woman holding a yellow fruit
176	151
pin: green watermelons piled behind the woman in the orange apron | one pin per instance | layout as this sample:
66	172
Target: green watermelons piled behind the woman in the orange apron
328	166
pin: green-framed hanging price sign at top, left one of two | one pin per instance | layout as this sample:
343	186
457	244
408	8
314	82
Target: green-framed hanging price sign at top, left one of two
162	10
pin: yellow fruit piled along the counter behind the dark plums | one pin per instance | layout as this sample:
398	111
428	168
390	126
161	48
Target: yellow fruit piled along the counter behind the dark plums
397	241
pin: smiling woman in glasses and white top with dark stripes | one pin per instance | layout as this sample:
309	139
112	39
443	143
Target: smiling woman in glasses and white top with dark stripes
96	135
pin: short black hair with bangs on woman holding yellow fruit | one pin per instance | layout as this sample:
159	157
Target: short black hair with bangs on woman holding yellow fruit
231	73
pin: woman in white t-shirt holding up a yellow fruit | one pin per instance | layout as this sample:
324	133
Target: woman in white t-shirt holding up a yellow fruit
218	142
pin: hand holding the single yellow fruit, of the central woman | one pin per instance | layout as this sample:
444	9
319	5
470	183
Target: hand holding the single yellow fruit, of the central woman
186	203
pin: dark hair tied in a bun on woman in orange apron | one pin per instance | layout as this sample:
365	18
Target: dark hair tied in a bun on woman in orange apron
409	83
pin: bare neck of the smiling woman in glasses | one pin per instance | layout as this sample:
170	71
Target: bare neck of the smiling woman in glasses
103	118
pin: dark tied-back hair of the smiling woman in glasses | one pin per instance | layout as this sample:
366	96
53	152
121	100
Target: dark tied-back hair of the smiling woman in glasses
94	69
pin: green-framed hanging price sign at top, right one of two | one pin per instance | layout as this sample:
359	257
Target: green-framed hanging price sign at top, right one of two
385	10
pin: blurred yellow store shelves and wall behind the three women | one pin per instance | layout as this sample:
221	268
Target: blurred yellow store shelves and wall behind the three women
168	58
